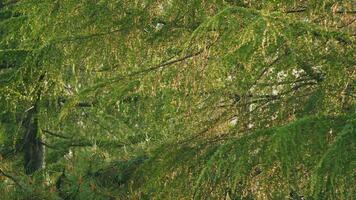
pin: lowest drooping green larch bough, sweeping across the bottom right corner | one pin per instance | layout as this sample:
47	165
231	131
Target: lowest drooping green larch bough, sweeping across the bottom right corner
265	164
